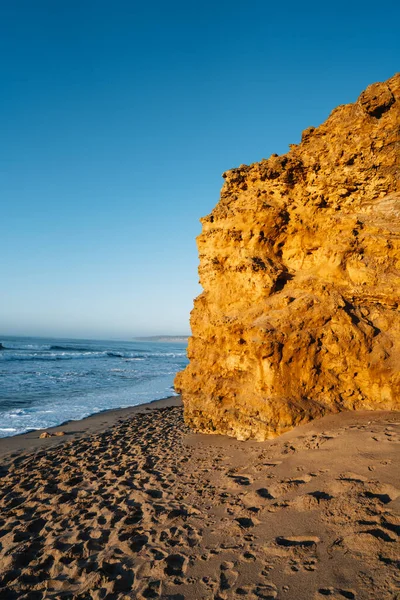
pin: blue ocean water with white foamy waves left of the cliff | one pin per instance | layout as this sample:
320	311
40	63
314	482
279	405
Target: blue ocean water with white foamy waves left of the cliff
45	382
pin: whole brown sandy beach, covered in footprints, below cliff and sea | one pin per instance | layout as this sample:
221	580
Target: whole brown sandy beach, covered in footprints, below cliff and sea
130	504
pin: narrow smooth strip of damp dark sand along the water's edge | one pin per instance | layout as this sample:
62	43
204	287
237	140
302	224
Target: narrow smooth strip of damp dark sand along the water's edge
76	429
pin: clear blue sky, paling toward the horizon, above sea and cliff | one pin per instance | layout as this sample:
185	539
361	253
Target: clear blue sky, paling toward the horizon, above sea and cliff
117	119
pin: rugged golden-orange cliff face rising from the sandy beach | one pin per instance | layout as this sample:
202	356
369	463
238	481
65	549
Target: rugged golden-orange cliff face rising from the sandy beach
300	265
